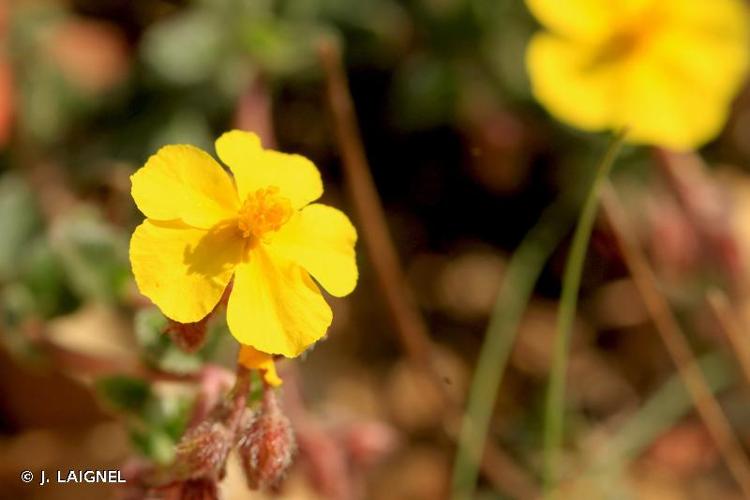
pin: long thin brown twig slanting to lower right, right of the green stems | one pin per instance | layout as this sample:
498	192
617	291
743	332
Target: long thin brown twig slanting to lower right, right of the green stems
674	339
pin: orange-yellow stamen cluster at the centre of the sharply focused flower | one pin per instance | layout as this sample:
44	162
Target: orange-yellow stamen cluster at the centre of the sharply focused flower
263	211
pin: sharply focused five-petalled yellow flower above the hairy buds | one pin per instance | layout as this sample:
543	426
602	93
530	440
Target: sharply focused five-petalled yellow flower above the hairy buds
203	229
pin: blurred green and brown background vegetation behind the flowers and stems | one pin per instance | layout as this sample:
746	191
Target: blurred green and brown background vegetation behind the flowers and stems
464	161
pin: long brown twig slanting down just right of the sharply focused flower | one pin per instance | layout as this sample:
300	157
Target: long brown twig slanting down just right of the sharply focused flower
497	466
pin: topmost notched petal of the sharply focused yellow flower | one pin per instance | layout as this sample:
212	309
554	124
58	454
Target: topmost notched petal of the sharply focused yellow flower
255	168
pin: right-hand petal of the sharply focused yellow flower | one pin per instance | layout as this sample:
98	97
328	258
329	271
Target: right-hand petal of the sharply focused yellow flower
321	239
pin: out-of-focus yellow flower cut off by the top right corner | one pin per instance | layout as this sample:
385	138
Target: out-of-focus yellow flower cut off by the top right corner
665	69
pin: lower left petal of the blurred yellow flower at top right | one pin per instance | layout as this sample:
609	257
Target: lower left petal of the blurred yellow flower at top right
569	85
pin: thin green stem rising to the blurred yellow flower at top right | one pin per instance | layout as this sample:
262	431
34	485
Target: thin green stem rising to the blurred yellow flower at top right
555	403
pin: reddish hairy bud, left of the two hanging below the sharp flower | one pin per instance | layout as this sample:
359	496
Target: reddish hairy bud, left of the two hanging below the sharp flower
203	450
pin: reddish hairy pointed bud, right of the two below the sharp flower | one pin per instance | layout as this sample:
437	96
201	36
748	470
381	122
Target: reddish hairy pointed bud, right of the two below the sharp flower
266	444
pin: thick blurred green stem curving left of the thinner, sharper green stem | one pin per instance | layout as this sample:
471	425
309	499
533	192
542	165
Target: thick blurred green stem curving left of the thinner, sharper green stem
522	273
